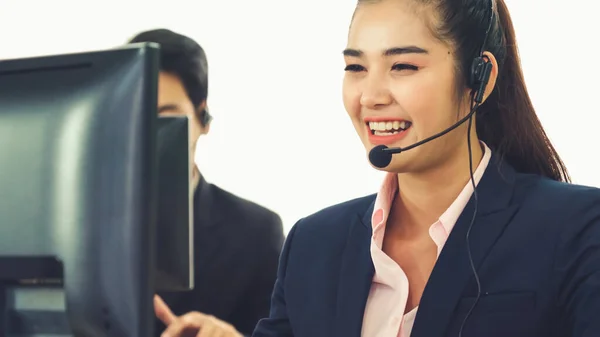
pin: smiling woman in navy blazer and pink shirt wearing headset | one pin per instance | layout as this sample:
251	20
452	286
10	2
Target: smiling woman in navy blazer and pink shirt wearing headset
473	233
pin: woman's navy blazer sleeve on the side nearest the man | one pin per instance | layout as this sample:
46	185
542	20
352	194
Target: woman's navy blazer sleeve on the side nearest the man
278	323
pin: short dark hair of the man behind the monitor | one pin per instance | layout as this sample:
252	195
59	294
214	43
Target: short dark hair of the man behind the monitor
184	58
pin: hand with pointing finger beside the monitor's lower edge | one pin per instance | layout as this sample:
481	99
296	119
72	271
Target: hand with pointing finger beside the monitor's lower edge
192	324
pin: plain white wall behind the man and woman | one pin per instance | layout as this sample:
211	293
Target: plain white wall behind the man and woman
280	135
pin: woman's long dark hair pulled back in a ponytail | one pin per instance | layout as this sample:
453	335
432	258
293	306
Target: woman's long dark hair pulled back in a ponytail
507	121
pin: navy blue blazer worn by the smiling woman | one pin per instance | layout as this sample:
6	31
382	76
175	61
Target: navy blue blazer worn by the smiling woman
535	244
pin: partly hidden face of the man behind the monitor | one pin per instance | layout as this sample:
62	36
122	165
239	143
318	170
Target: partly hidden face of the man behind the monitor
173	101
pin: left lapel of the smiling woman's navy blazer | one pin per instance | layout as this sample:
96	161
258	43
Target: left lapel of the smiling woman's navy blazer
356	275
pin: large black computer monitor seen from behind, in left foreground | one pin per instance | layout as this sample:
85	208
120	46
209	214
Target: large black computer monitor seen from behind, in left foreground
78	175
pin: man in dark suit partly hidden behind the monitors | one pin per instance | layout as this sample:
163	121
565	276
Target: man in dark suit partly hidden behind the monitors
236	242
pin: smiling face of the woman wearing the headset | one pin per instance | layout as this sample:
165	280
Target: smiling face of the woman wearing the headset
399	86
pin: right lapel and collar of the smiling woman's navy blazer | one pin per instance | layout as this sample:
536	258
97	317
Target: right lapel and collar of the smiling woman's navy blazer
453	270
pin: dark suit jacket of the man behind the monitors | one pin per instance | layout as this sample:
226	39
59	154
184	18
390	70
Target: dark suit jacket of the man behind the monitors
237	245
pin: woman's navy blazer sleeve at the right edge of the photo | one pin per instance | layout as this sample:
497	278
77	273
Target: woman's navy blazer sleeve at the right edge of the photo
578	265
